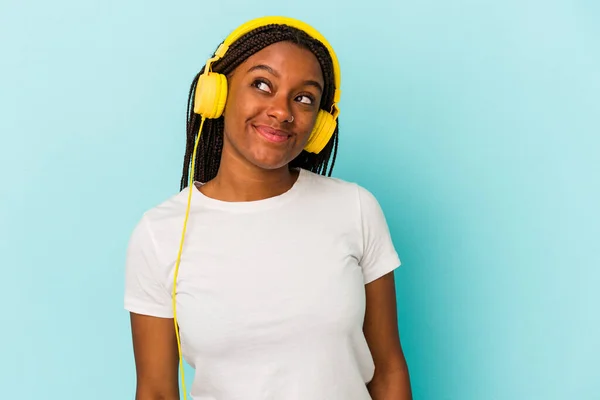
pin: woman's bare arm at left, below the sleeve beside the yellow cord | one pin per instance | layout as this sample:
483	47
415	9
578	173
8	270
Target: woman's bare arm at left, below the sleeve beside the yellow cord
156	358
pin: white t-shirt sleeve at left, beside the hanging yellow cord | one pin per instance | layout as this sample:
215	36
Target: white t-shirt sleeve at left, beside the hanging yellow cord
145	291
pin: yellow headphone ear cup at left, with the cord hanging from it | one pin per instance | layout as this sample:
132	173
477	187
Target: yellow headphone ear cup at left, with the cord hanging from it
211	95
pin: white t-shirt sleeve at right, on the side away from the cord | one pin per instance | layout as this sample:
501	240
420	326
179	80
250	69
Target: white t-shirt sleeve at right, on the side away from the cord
379	254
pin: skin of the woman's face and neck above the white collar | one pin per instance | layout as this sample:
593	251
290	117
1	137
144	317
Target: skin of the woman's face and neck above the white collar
282	83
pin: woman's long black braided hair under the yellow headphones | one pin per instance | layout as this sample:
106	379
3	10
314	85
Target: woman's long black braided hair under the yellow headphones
211	140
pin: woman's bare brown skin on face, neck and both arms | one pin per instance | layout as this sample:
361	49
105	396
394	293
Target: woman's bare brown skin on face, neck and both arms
276	83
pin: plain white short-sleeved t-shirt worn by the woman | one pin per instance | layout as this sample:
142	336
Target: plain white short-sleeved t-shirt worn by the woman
270	293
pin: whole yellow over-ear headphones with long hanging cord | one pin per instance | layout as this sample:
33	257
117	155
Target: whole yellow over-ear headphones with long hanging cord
209	103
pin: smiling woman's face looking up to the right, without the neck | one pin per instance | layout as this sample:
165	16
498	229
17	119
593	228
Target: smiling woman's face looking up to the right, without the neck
280	82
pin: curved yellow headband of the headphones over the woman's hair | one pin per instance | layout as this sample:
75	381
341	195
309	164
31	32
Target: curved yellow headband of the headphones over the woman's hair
294	23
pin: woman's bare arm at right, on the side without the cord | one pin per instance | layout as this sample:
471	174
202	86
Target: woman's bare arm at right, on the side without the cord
391	380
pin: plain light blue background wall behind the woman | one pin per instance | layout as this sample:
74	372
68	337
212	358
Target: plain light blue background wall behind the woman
474	122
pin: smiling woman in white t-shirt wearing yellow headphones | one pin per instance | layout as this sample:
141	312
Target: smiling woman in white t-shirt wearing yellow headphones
283	286
